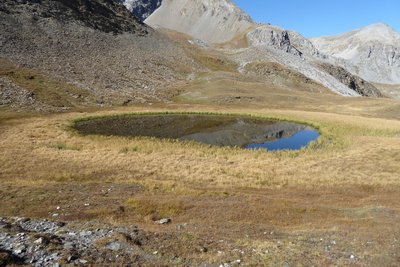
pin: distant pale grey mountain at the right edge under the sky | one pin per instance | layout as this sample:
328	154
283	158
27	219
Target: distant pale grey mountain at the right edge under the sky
372	52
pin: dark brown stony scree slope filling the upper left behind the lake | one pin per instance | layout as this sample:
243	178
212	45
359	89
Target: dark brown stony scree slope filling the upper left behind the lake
96	46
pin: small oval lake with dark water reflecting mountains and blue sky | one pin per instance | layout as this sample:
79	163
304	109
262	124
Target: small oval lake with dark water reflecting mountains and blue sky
217	130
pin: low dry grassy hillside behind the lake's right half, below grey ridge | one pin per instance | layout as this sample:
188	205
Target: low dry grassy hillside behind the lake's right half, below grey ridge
234	93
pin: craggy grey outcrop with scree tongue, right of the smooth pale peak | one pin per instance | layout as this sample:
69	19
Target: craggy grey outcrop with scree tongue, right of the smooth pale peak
272	44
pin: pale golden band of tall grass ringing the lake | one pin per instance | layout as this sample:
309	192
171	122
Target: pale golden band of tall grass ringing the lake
344	142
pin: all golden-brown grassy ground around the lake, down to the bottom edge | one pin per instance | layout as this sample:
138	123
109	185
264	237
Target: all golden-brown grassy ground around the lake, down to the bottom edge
334	203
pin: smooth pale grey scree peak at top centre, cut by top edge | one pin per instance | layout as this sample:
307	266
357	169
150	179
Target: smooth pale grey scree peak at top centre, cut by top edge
214	21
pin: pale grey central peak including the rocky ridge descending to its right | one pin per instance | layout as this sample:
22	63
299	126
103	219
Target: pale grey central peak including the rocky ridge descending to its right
220	21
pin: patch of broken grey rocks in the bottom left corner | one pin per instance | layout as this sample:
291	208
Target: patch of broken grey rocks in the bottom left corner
42	243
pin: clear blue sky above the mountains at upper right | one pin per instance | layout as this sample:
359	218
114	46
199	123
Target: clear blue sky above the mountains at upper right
313	18
